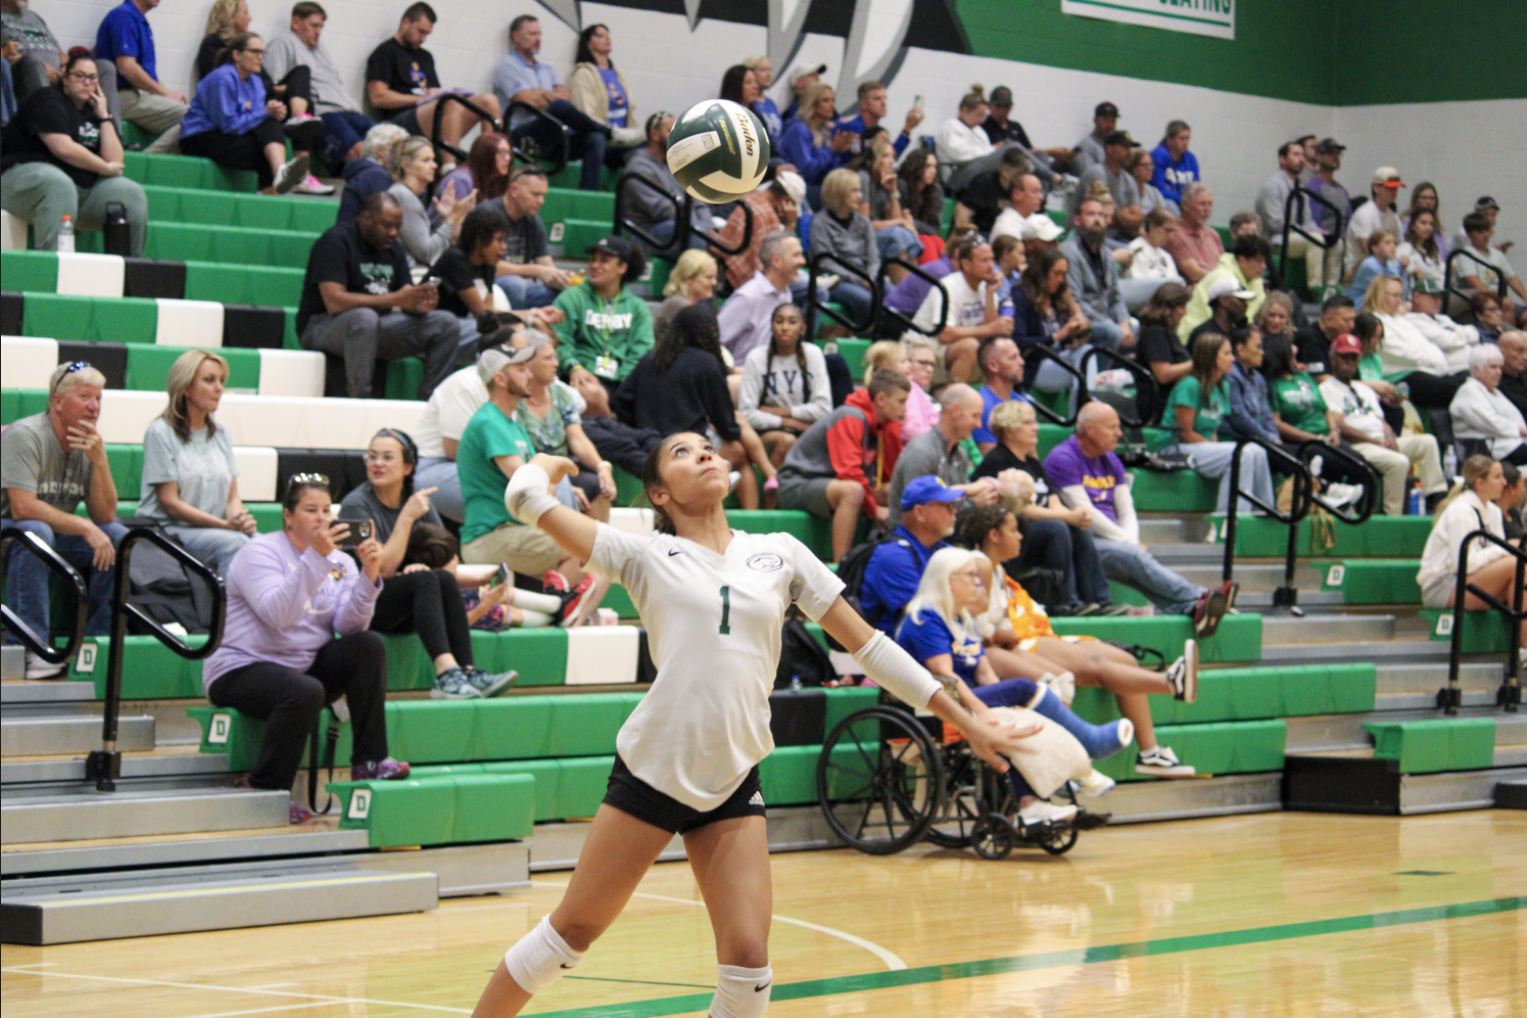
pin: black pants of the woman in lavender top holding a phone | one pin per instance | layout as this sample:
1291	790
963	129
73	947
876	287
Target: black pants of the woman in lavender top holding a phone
289	703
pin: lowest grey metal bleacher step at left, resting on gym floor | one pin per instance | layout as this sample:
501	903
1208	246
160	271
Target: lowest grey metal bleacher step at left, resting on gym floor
224	897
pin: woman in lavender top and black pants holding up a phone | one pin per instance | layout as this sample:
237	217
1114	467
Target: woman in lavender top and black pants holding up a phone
297	640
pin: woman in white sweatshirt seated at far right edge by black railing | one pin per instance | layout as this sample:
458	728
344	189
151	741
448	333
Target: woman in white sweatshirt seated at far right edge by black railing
1468	509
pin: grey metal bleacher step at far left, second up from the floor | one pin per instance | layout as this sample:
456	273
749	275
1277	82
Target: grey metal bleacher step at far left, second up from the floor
74	811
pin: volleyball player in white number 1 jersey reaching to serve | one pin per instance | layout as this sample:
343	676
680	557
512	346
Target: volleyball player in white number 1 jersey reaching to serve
714	602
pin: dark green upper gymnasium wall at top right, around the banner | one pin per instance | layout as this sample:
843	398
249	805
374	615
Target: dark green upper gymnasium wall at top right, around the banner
1328	53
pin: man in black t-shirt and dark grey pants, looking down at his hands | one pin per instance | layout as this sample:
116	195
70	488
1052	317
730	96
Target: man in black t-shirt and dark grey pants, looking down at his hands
358	303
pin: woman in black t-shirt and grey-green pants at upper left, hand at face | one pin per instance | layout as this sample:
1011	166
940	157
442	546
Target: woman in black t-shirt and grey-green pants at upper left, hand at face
63	158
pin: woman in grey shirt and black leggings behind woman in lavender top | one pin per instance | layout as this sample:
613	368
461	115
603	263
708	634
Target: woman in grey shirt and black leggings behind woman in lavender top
415	598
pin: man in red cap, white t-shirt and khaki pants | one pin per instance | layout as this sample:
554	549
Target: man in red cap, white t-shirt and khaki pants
1361	420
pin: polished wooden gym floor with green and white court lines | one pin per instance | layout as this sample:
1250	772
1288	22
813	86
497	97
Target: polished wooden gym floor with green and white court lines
1283	915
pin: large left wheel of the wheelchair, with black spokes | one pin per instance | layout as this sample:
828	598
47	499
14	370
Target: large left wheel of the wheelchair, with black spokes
880	781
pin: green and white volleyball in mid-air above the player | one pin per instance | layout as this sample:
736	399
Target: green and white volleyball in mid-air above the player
718	150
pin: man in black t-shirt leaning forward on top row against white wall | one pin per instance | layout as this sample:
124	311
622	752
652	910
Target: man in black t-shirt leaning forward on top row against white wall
401	77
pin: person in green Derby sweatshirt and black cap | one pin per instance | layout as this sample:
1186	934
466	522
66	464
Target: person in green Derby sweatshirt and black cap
607	329
